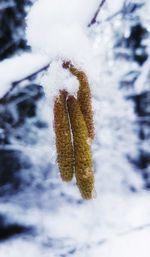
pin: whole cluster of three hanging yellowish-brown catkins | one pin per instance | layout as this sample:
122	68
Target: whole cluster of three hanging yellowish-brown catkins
73	123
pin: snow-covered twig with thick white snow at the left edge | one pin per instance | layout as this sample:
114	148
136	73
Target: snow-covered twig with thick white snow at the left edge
20	68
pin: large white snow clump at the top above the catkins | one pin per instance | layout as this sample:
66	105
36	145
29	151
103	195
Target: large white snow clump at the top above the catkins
59	28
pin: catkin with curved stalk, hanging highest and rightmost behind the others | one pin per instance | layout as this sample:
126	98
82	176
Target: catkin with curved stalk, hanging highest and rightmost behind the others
84	97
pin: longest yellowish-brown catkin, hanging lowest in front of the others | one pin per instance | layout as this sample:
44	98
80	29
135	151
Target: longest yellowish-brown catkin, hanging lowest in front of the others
82	149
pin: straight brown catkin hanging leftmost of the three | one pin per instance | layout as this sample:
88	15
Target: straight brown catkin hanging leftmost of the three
63	137
